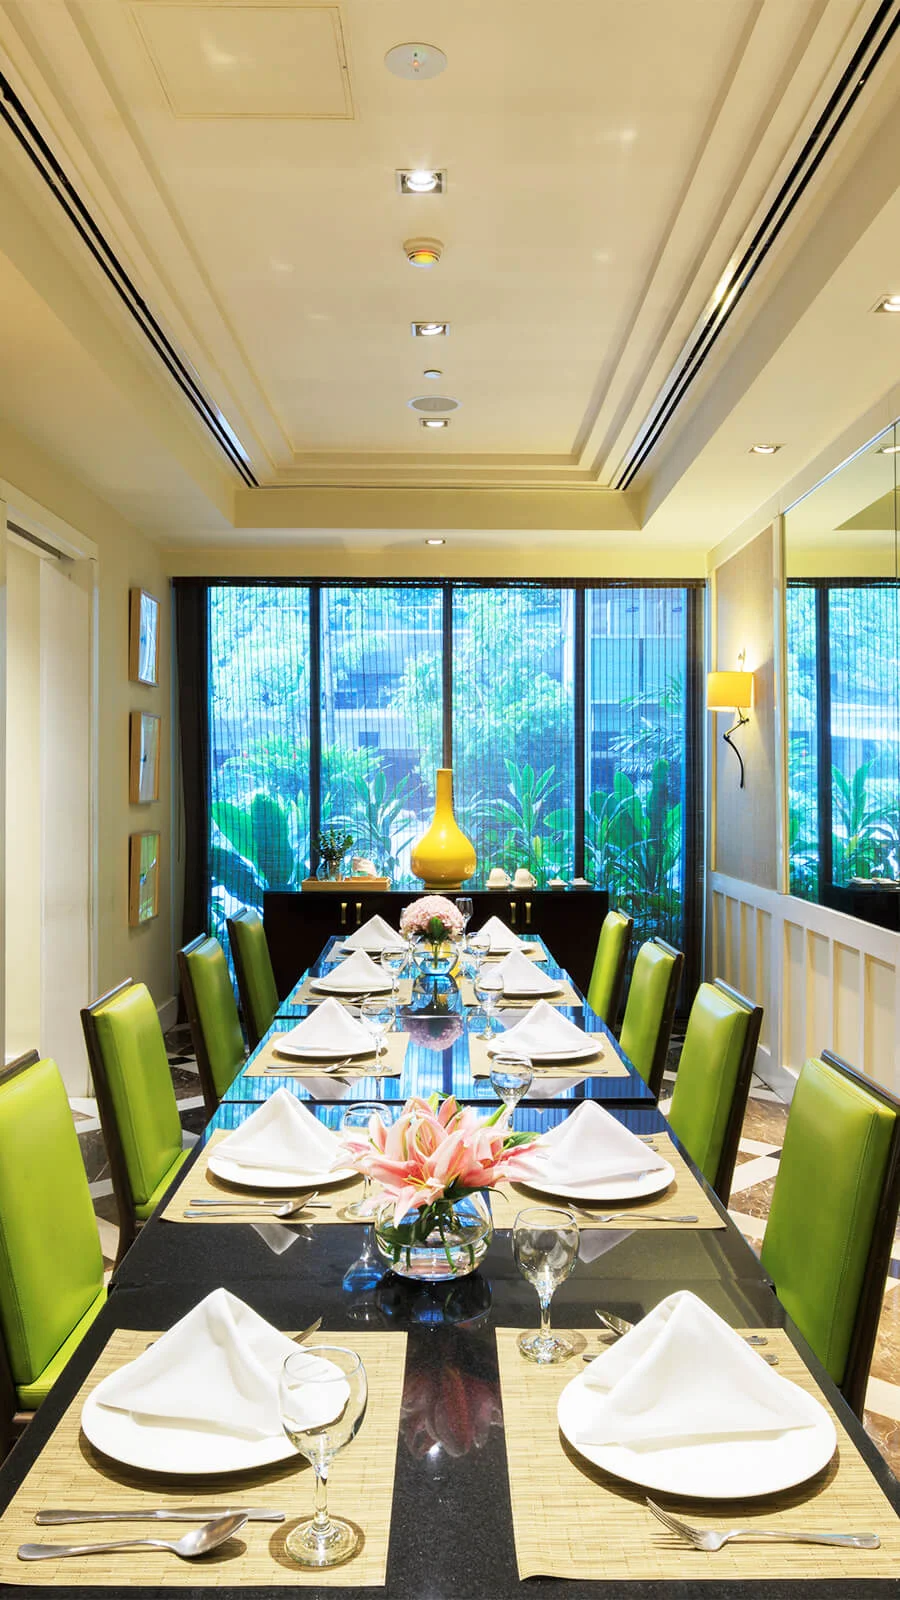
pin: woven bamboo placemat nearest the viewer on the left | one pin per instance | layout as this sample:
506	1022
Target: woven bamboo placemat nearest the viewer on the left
71	1473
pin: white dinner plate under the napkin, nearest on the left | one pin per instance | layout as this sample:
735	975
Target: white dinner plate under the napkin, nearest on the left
187	1452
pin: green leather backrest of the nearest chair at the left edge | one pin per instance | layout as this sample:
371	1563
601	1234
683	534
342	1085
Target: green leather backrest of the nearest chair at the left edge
50	1257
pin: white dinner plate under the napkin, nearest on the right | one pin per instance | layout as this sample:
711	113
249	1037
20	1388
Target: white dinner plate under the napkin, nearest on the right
713	1470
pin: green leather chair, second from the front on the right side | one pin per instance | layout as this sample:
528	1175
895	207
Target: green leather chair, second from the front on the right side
713	1081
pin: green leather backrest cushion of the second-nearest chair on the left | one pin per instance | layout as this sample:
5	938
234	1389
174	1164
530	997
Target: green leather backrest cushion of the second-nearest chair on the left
143	1106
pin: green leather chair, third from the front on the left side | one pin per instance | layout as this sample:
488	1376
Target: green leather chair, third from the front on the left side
212	1012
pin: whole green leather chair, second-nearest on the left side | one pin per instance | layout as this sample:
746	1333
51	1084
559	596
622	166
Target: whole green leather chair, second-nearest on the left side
139	1114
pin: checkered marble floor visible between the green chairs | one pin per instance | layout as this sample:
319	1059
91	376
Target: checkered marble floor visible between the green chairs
752	1194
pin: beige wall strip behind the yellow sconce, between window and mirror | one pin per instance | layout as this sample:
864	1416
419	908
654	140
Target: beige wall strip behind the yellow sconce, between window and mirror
745	820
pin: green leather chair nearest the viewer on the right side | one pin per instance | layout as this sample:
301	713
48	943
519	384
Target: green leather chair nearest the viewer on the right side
830	1230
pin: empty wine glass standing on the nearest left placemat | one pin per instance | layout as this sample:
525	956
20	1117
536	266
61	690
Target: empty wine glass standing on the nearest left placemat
323	1396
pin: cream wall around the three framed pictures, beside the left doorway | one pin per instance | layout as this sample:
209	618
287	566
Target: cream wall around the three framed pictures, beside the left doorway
126	561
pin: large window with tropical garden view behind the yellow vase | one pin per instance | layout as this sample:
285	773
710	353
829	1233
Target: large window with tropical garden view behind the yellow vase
565	710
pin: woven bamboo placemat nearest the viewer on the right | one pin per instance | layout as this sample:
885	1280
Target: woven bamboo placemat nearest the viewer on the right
574	1521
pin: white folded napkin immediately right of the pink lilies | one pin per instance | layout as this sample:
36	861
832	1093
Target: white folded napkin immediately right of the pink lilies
590	1148
